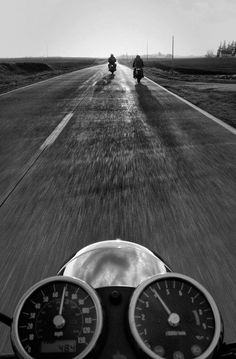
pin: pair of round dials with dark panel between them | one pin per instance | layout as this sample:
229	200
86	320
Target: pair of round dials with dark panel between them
167	316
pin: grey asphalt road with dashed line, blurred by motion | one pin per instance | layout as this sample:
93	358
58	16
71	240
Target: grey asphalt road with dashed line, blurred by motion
133	162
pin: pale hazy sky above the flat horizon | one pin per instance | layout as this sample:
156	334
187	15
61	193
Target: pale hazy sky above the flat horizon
98	28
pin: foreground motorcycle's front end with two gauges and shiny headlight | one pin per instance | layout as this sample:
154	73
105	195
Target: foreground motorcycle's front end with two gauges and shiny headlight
117	300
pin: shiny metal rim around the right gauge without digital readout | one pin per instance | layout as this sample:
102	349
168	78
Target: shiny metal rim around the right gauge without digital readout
131	315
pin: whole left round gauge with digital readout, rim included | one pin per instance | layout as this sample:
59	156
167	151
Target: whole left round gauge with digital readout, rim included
59	317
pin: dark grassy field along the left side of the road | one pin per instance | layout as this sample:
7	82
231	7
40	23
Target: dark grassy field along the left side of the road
16	73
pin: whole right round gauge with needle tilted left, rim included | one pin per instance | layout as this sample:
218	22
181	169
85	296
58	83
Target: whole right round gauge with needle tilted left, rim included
172	316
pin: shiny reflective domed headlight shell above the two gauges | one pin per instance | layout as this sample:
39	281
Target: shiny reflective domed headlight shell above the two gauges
114	263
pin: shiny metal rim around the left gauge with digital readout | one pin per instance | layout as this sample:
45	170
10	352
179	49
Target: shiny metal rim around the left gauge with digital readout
19	349
